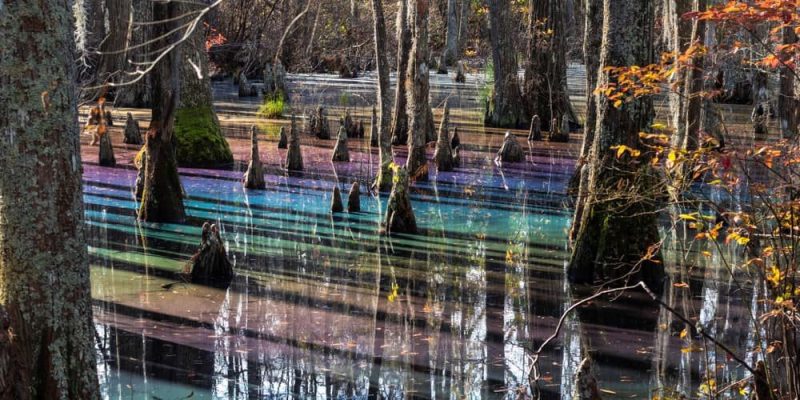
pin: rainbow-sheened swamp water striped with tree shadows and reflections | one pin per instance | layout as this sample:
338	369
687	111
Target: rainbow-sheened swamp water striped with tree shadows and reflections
323	307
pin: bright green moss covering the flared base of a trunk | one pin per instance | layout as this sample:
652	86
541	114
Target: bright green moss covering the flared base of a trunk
199	138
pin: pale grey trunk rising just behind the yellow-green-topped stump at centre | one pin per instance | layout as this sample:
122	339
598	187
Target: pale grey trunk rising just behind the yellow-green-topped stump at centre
420	121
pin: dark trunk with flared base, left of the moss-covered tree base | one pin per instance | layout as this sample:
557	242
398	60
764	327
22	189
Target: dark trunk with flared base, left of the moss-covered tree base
162	196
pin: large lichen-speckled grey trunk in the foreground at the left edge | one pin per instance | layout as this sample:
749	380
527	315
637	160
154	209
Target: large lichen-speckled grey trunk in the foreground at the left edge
46	332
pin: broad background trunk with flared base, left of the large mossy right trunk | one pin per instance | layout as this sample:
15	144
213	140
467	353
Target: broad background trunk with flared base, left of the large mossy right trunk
546	73
